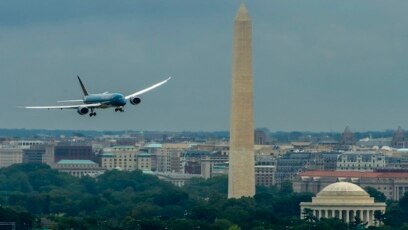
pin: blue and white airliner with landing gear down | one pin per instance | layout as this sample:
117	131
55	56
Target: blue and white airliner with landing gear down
90	102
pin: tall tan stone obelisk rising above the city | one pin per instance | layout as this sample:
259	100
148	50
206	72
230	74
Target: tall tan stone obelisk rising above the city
241	176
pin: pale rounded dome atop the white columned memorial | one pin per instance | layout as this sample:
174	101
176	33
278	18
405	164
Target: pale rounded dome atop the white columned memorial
343	192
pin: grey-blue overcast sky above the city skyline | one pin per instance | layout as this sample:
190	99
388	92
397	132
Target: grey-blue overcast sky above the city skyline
319	65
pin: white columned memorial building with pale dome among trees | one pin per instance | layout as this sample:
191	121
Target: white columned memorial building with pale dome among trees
345	201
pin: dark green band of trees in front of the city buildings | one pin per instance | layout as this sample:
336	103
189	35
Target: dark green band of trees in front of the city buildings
34	194
